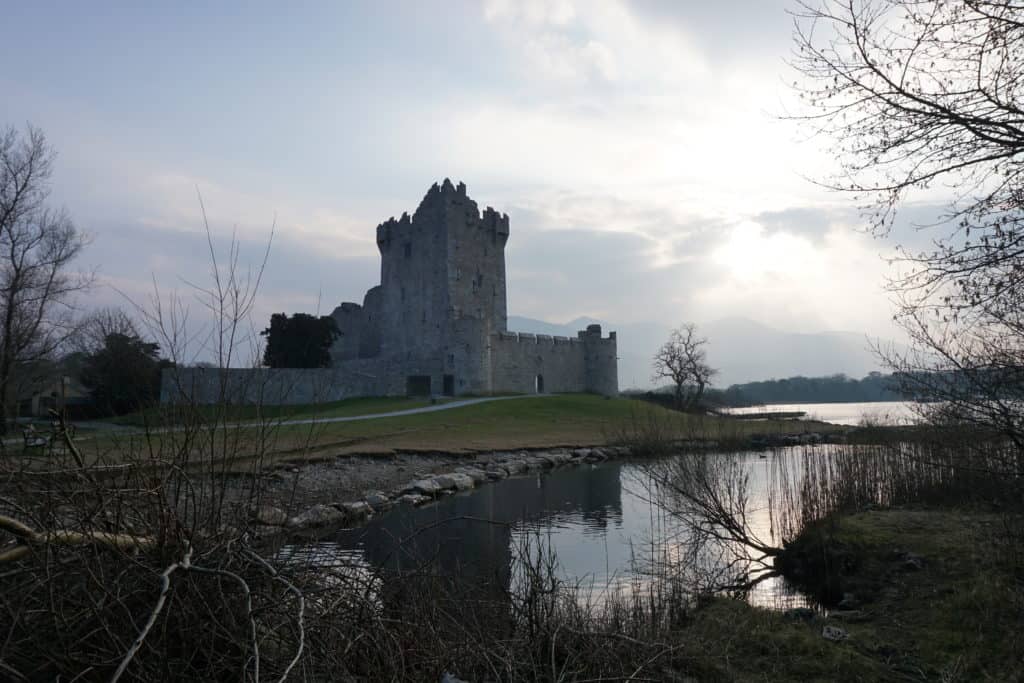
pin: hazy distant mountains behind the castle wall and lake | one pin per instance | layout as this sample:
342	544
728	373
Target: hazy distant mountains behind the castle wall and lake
743	350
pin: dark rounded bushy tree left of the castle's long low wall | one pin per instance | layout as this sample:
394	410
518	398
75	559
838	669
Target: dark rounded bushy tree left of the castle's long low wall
124	374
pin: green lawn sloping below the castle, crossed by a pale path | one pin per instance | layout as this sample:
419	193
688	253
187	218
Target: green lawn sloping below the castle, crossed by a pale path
569	420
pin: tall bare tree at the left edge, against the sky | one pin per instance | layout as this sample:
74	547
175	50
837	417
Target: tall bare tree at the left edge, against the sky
37	248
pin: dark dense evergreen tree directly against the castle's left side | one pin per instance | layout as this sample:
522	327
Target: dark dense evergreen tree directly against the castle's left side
300	341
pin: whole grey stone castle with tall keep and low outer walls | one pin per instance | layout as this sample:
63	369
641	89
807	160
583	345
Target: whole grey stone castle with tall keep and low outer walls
436	325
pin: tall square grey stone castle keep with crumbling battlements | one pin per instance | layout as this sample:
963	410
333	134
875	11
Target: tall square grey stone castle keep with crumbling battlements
443	288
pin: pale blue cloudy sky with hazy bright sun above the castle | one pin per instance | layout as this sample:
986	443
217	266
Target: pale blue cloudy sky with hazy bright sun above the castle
641	149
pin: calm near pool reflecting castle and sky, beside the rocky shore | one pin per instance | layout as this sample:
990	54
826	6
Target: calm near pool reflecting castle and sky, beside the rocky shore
596	519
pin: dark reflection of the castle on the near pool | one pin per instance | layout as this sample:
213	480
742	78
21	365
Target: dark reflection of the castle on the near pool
472	535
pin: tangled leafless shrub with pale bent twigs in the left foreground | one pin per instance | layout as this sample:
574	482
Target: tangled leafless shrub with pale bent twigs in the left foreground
133	557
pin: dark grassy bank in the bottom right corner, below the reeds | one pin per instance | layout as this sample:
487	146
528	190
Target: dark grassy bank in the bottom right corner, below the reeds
957	619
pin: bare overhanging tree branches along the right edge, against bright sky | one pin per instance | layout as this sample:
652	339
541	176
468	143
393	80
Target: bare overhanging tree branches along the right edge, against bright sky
918	95
